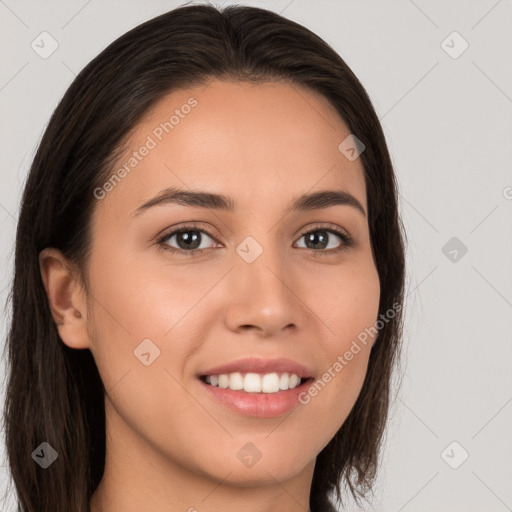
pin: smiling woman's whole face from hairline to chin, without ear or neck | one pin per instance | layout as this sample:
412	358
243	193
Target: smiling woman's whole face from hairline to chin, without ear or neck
261	279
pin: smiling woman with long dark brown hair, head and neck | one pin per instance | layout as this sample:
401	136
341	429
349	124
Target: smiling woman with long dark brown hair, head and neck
209	274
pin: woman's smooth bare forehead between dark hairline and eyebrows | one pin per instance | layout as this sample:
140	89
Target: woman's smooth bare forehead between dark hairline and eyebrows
260	143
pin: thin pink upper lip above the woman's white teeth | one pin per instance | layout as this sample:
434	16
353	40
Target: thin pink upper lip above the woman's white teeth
260	365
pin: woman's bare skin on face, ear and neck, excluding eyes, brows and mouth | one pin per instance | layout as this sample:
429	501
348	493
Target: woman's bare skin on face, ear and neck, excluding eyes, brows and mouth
170	447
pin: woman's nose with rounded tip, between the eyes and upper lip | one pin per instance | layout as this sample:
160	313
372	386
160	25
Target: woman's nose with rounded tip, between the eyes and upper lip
264	295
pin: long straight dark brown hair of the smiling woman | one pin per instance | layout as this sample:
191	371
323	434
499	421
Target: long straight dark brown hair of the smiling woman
54	393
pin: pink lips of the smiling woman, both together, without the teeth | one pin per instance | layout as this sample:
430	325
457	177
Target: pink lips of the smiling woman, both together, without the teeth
260	405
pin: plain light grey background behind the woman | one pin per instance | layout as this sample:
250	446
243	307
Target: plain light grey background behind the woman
448	122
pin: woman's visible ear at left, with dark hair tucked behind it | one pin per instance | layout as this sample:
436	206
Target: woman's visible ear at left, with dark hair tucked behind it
66	297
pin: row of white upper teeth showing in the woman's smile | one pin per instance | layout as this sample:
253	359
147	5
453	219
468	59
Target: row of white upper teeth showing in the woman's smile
254	382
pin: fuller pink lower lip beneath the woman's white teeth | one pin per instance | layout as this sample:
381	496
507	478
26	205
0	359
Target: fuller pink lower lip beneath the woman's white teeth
260	405
